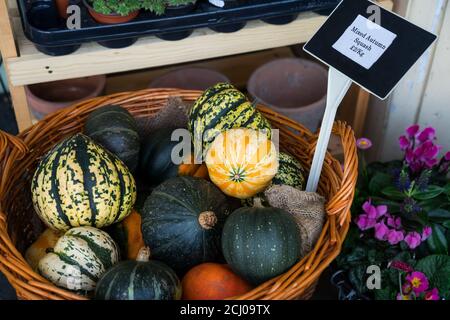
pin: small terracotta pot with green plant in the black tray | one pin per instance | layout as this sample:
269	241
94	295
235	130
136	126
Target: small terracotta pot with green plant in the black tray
113	11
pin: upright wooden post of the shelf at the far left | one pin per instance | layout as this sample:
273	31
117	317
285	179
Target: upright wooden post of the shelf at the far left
8	50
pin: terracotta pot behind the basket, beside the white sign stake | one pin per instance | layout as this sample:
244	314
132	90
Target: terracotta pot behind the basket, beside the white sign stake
294	87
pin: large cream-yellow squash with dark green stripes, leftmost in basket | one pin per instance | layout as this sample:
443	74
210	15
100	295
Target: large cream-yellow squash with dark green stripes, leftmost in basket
79	183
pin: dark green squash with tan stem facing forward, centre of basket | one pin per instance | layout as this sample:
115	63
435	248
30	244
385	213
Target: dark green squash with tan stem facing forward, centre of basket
182	222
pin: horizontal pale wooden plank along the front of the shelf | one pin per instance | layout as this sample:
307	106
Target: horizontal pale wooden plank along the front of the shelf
91	59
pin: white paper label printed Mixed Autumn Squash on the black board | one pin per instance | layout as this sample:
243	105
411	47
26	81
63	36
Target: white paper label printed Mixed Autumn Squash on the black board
364	42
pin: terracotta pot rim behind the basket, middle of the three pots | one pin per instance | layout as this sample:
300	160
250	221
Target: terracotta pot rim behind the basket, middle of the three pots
189	78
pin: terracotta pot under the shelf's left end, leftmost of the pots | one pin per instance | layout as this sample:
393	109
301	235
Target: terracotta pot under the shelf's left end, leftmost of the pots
45	98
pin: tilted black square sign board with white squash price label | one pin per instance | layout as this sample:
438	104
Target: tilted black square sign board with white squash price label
372	46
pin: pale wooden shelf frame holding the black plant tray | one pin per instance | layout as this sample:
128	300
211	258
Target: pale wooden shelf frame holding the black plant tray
26	65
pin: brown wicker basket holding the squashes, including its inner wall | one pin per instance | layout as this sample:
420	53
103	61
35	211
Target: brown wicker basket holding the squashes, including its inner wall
20	226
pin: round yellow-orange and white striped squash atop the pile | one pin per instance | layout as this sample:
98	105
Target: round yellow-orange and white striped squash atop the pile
242	162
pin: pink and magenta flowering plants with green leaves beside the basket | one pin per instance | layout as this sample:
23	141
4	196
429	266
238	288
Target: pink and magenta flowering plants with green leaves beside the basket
401	223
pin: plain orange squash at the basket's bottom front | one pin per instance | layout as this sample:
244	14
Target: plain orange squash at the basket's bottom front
212	281
